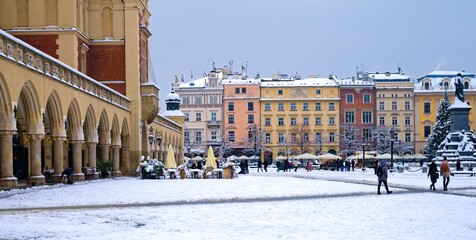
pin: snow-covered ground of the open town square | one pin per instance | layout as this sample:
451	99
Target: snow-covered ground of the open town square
292	205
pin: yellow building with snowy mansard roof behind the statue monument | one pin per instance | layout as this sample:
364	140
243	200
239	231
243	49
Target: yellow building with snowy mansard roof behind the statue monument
429	91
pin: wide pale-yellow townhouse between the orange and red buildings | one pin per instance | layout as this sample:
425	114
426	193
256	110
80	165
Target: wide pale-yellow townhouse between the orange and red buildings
299	115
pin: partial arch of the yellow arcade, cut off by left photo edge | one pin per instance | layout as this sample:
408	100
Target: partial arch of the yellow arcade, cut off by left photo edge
7	118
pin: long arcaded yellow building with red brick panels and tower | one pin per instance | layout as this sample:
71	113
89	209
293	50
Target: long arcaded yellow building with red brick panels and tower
75	89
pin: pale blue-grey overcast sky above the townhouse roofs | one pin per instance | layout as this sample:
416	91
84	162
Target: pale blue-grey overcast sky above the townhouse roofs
310	37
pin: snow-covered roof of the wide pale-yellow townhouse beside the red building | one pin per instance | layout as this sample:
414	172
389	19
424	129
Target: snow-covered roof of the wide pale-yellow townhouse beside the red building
308	82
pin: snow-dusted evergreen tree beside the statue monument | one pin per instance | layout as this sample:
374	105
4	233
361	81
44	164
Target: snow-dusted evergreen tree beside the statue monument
441	128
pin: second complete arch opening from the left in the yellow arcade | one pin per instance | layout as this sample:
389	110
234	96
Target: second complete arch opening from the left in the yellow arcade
53	118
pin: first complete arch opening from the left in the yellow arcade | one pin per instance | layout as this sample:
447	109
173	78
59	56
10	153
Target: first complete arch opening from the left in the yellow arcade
30	110
